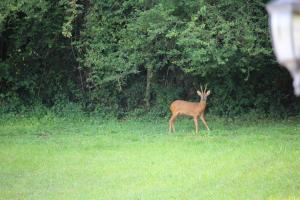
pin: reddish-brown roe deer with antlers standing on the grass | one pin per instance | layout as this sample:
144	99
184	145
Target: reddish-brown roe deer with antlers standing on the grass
193	109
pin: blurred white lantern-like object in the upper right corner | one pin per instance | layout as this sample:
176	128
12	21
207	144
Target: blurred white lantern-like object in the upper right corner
284	22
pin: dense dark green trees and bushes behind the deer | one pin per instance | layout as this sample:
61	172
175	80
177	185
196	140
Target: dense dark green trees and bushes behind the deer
123	57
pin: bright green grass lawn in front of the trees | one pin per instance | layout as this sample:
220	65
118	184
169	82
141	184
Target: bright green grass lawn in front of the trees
88	158
